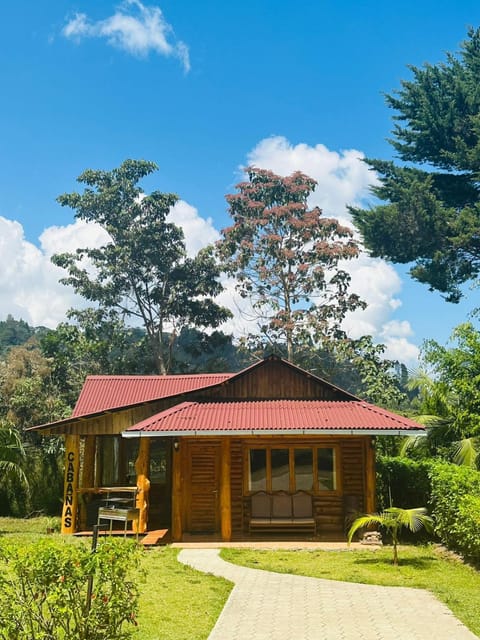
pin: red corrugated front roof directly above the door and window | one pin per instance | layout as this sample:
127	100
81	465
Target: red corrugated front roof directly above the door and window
277	416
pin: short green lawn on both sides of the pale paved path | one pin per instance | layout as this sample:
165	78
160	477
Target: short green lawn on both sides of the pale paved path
178	603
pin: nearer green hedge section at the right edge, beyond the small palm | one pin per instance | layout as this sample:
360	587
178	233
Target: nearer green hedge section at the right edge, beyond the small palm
455	498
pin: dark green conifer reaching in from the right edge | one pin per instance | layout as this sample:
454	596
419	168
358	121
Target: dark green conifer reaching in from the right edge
431	214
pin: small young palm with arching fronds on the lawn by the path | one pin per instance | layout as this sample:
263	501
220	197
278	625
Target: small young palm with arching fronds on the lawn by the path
394	519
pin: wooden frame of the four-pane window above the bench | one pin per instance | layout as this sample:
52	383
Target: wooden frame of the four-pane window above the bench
335	448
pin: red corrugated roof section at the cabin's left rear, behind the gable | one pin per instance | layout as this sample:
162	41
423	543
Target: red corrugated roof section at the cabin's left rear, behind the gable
103	393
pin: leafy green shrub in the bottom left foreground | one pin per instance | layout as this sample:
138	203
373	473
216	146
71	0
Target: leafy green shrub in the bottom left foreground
43	590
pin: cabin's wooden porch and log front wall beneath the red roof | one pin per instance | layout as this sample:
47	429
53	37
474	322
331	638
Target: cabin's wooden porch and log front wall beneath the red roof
198	489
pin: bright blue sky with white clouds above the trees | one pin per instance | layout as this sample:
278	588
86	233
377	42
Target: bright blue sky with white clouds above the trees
202	88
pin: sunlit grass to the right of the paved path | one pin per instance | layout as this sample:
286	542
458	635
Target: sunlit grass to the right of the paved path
424	567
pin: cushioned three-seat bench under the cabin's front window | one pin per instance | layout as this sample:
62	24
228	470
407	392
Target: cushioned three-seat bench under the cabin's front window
280	512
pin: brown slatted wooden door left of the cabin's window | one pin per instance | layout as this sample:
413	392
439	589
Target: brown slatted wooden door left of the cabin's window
203	488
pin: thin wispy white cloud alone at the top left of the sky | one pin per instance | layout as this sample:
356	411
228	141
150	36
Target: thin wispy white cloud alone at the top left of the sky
135	28
